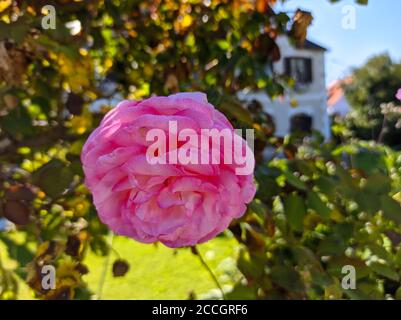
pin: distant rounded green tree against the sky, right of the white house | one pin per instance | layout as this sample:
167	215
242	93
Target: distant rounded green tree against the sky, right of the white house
373	84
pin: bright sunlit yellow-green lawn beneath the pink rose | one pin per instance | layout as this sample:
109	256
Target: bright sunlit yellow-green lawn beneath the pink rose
156	272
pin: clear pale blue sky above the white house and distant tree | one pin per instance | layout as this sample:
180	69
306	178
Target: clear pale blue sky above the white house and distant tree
377	30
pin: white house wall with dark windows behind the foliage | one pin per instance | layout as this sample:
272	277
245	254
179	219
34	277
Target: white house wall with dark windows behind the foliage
306	65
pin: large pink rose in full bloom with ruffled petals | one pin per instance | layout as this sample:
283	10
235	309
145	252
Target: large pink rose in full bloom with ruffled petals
174	203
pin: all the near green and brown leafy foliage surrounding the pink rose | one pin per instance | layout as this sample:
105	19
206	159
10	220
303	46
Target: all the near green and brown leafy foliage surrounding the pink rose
319	206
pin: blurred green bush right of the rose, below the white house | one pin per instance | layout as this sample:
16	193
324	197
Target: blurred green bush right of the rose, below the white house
323	207
